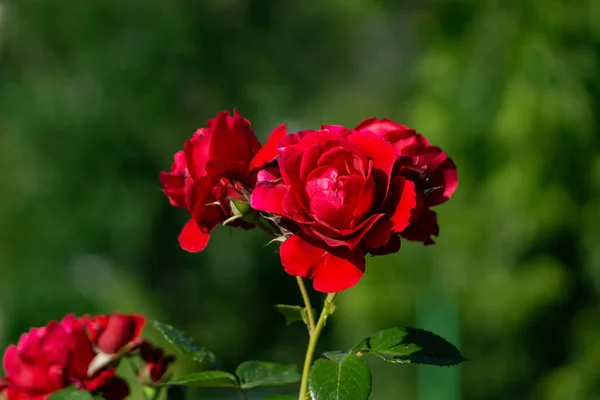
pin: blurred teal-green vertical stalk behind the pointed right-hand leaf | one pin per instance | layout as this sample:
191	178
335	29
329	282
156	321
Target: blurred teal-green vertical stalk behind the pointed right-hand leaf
438	312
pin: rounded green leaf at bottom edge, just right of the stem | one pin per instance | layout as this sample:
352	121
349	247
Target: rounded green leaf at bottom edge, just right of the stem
347	379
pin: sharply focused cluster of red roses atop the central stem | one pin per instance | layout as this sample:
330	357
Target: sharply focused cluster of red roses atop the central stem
334	194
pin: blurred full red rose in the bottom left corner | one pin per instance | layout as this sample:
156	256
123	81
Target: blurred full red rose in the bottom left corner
53	357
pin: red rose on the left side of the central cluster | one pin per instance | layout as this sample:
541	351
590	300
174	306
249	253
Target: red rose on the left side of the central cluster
212	170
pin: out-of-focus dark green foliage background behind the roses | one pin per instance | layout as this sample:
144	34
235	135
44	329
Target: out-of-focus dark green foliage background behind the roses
96	96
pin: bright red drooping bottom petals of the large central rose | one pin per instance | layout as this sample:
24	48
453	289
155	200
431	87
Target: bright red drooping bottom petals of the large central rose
332	271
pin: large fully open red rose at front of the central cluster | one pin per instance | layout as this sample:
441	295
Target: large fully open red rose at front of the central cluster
341	196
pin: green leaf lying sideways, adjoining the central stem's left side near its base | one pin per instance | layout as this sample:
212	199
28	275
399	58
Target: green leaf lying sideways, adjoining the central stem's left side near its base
262	373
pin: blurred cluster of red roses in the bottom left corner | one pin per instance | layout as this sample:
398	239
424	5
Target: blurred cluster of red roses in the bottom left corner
81	352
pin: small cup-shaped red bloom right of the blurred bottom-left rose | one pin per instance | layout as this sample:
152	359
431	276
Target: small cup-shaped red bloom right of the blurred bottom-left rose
112	333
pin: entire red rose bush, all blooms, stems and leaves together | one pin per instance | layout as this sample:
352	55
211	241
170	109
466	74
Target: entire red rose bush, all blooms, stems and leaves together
330	196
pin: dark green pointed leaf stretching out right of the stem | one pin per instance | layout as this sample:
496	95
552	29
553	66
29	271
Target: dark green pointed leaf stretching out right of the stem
410	345
